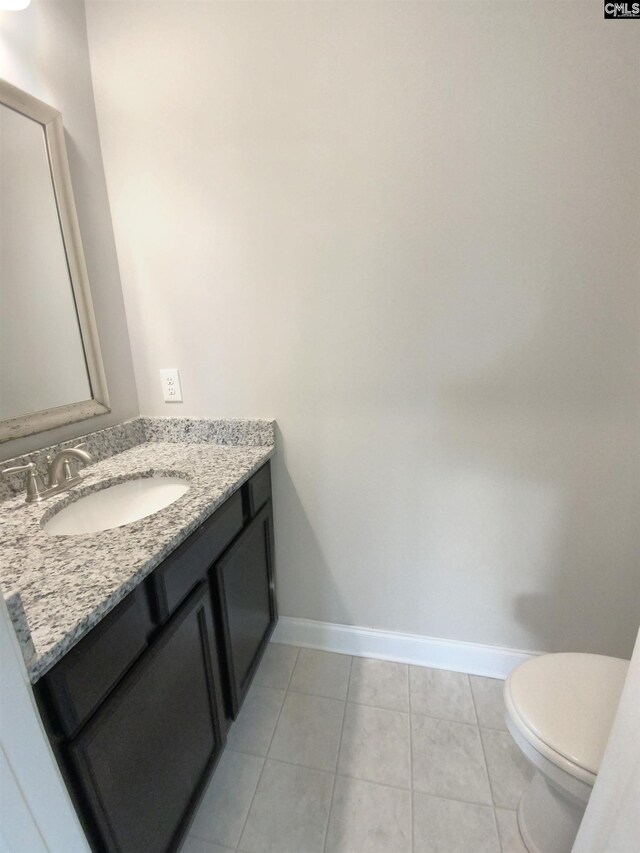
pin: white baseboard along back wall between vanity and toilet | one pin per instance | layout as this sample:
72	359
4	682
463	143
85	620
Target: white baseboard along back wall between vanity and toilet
474	658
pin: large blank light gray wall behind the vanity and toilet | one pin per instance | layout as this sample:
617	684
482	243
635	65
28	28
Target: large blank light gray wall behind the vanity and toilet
407	231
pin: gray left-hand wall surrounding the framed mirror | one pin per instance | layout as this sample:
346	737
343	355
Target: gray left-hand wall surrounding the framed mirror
43	50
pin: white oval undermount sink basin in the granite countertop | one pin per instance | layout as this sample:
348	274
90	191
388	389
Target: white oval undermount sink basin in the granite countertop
116	505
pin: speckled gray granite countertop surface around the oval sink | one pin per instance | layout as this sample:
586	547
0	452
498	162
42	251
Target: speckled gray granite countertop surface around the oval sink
59	587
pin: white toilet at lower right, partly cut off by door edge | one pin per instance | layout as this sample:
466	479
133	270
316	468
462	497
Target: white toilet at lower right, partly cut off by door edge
560	709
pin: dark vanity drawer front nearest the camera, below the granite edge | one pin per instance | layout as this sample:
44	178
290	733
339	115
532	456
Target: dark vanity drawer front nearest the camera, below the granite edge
87	673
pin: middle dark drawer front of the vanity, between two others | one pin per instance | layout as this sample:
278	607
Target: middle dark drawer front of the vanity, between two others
174	579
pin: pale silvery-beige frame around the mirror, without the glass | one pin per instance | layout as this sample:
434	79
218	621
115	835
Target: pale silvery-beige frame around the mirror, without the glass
51	121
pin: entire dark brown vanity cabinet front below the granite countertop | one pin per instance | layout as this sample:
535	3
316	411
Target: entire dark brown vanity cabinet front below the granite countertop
138	710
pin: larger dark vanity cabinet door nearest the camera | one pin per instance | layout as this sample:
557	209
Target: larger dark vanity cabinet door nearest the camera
144	757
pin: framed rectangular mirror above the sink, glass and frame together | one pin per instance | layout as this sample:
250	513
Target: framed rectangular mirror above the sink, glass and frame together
51	370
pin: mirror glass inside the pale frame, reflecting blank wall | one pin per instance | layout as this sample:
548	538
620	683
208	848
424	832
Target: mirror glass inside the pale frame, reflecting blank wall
42	362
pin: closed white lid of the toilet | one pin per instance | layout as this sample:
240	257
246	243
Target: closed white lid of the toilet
568	701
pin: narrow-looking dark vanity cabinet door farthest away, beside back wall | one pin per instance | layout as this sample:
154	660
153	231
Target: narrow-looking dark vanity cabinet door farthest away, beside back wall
246	602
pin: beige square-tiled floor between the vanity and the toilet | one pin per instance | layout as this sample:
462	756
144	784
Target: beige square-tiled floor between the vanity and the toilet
333	754
